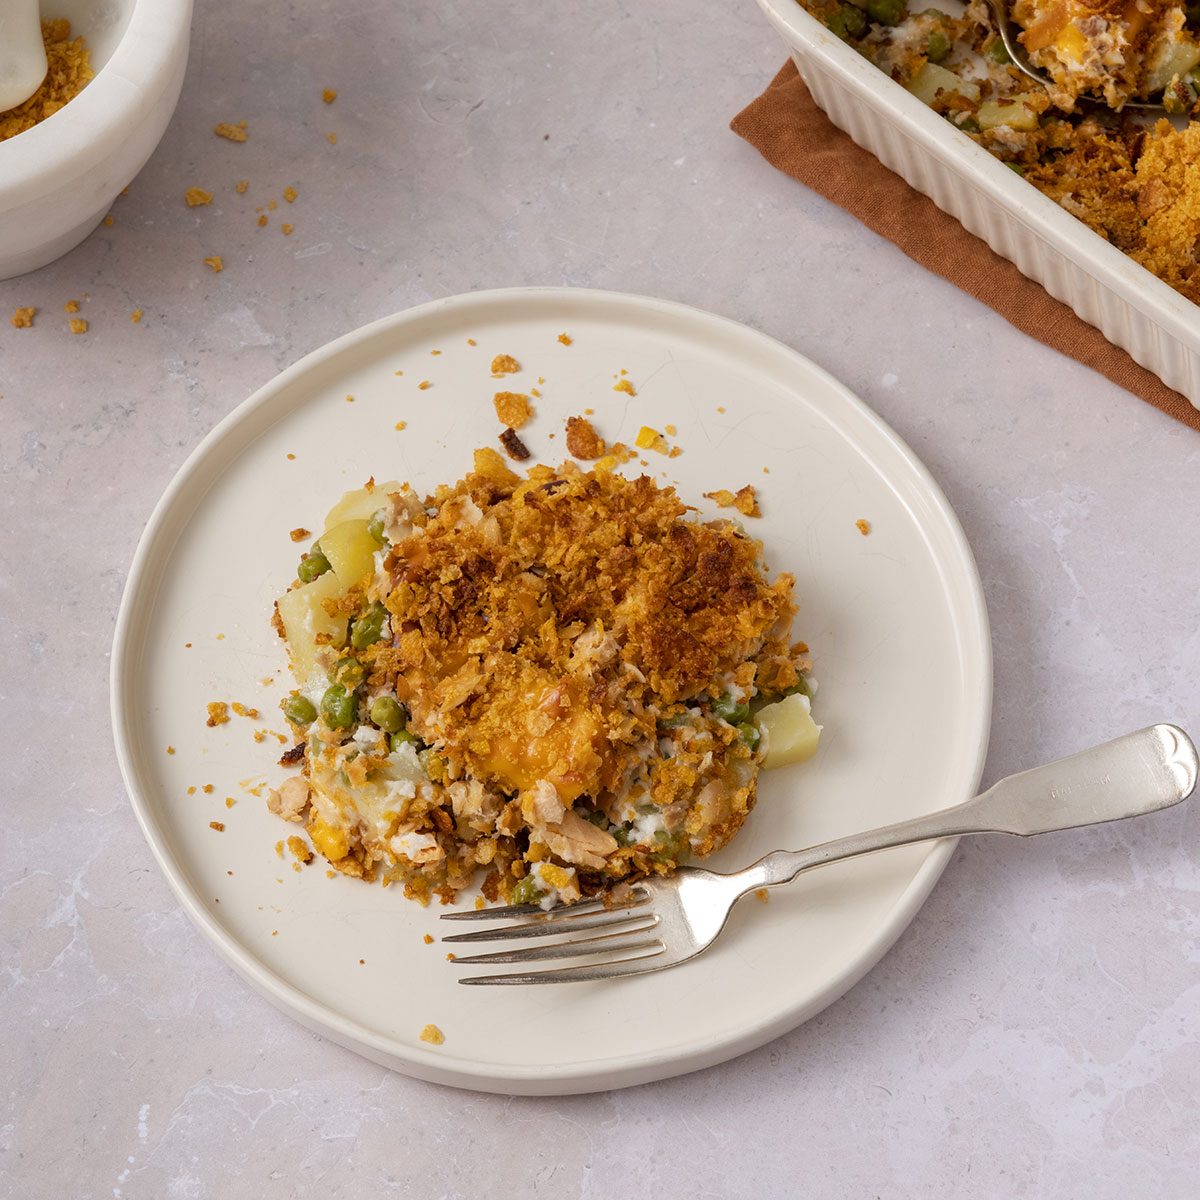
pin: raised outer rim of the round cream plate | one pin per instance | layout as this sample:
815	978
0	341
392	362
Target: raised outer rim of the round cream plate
585	1076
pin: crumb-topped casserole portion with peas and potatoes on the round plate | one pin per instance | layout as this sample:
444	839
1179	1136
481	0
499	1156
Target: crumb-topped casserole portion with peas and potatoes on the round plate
544	685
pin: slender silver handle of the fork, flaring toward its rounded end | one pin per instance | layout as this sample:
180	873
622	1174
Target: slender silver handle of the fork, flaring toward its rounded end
1138	773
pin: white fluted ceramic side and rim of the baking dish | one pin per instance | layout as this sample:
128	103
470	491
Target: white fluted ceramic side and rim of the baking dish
1131	307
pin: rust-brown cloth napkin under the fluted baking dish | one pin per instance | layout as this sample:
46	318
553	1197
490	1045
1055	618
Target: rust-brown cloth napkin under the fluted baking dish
788	129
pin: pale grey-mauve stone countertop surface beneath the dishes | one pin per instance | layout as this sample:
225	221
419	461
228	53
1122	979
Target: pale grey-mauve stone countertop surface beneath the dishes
1034	1034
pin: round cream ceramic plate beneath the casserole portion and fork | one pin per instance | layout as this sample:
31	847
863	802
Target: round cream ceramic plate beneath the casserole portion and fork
896	620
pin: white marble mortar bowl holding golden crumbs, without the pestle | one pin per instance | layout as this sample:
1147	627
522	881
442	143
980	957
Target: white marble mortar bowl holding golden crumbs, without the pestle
59	179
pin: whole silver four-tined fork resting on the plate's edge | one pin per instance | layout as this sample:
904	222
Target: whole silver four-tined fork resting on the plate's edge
664	922
